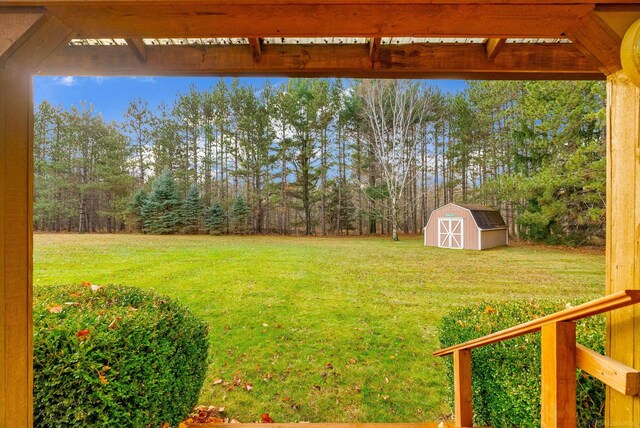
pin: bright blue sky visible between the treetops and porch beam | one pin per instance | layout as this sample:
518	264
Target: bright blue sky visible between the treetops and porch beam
111	95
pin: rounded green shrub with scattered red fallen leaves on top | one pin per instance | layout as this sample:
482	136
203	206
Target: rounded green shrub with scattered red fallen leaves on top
114	356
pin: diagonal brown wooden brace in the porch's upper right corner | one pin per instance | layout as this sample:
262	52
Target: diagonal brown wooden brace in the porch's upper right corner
596	40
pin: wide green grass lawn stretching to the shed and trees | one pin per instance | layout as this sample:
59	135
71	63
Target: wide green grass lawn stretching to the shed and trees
324	329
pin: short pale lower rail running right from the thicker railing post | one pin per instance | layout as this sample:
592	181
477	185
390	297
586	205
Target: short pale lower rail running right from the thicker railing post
614	374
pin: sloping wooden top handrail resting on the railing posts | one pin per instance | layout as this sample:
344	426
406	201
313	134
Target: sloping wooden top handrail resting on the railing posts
585	310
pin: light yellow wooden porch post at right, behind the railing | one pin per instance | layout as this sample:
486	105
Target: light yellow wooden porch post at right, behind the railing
623	237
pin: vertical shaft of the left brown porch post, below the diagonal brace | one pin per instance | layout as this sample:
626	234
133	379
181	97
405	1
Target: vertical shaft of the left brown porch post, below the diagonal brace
16	174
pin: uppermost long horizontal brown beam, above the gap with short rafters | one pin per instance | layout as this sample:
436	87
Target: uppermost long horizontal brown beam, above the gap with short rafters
213	19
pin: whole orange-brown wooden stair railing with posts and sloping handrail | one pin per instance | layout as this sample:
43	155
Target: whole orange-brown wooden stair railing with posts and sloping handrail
560	358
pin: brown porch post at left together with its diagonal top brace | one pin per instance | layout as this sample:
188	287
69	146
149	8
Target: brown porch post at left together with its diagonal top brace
18	61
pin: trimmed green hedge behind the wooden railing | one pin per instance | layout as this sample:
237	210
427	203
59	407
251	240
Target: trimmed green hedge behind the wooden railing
506	376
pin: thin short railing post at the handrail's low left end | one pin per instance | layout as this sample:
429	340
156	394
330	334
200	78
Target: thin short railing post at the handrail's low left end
462	387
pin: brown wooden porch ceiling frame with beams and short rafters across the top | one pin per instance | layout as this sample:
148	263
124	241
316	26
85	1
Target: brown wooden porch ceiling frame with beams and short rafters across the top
496	39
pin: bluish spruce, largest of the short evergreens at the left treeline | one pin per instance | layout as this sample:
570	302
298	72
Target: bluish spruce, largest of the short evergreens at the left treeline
161	211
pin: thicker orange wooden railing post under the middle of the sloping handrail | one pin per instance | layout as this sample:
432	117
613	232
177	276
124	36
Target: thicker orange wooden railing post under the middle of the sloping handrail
559	375
